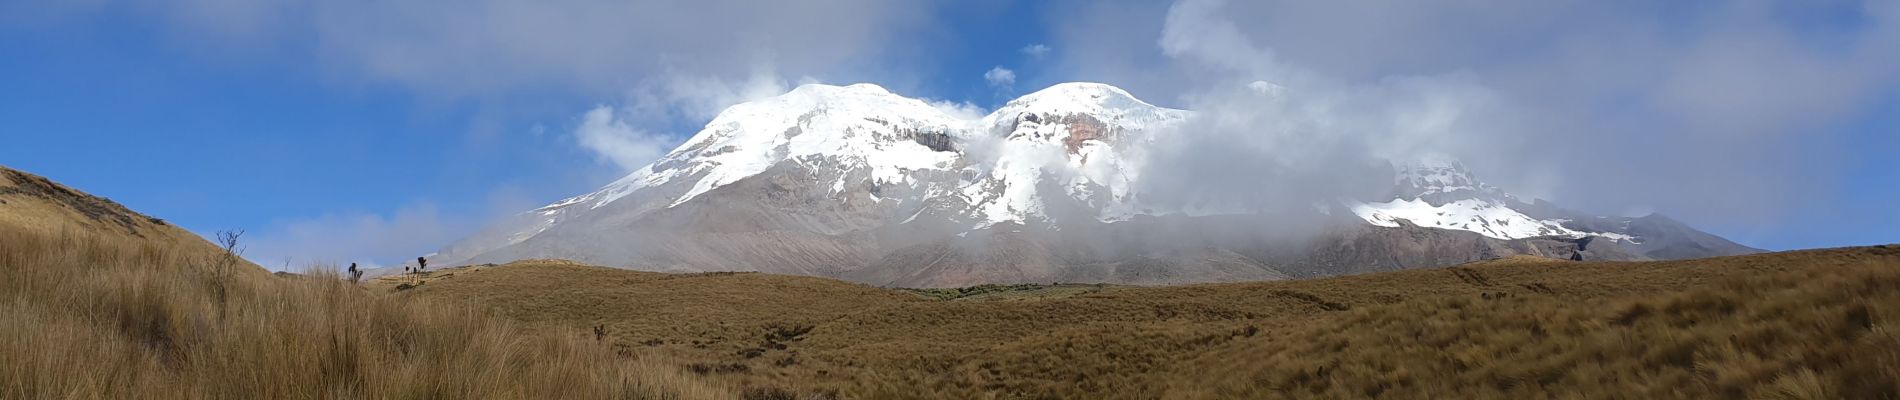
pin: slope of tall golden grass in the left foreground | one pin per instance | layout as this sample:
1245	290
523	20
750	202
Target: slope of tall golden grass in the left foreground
88	316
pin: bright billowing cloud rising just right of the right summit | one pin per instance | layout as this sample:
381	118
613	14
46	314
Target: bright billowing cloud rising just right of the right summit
1274	137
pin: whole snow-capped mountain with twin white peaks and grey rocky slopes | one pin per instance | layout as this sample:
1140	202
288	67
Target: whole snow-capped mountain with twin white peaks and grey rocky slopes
865	185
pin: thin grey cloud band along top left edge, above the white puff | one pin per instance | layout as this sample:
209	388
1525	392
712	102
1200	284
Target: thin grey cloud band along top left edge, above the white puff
497	48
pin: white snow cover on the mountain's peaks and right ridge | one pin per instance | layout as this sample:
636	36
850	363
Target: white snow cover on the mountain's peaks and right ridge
1076	141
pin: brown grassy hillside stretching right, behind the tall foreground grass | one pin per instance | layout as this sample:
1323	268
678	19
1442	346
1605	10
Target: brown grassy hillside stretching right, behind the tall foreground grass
1793	325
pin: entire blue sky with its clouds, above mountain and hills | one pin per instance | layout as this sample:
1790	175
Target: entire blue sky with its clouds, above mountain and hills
341	132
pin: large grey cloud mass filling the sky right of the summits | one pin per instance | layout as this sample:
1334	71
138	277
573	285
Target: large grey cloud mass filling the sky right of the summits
1705	111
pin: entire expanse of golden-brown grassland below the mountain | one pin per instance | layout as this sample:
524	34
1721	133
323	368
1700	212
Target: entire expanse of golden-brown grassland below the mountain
102	302
